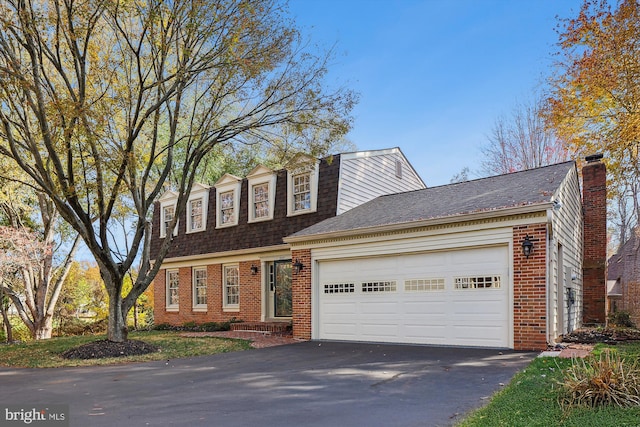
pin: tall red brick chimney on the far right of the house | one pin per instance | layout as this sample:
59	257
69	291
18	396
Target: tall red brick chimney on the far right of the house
594	199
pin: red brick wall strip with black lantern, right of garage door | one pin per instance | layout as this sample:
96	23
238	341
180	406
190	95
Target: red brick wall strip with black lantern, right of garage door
529	289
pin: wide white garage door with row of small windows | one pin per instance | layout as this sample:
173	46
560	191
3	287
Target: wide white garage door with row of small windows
448	298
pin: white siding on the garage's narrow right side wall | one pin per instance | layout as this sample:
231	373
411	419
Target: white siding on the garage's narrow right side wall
566	226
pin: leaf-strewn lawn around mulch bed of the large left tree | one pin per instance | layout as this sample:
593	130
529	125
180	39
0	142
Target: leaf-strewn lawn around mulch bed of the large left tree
46	353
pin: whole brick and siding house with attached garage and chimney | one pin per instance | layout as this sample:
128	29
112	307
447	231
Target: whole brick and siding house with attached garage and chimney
493	262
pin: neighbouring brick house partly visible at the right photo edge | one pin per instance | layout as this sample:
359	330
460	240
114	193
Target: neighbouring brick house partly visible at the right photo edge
623	274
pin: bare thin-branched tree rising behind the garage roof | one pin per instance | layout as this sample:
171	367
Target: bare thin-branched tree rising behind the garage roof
521	141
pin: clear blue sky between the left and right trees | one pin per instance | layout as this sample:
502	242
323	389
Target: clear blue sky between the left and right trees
434	75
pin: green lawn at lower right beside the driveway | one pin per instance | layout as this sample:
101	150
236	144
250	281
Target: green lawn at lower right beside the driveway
531	399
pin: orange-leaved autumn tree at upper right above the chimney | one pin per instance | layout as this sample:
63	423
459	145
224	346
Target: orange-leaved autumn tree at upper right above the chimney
594	104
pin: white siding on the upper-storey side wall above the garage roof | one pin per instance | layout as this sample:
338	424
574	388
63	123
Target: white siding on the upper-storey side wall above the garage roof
369	174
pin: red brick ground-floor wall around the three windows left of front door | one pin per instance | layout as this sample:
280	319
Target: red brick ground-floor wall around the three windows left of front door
250	297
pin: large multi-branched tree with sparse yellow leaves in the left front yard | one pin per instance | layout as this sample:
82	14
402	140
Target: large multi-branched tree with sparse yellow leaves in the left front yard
100	101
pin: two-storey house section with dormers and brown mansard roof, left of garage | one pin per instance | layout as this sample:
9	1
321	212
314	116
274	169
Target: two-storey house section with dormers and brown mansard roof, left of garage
228	258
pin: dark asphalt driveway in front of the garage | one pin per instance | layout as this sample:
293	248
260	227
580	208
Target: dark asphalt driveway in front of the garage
303	384
